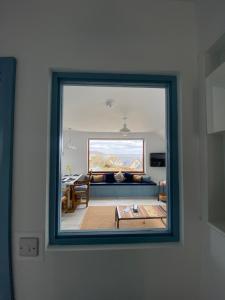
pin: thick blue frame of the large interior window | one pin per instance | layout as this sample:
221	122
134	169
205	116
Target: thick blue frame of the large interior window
172	233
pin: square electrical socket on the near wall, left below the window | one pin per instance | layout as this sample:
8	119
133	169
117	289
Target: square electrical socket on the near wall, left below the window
29	246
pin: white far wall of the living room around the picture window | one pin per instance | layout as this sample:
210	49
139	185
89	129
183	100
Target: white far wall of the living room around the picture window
78	158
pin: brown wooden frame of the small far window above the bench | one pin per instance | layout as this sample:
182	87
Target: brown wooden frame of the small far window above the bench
114	171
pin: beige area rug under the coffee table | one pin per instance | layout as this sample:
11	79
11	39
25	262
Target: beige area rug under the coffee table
103	217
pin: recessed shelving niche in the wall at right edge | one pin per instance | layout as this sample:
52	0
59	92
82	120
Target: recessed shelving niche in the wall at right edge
215	104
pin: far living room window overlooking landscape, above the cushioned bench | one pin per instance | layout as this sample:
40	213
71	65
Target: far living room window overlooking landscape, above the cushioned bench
113	155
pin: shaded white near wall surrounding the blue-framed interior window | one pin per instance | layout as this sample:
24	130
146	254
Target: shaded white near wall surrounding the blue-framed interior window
116	36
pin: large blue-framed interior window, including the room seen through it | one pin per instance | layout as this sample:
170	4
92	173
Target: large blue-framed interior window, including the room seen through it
123	128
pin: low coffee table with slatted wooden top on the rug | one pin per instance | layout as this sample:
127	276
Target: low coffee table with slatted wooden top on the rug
125	212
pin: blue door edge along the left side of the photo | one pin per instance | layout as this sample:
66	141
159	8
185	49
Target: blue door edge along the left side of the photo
7	100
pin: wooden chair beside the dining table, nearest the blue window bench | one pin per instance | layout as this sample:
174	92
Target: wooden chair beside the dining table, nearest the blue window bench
81	190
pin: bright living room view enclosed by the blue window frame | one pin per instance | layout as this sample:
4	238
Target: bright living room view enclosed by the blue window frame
113	158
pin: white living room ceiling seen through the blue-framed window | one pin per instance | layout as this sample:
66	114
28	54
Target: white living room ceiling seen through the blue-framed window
85	109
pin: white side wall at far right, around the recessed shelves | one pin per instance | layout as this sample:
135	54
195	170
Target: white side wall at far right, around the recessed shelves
211	26
